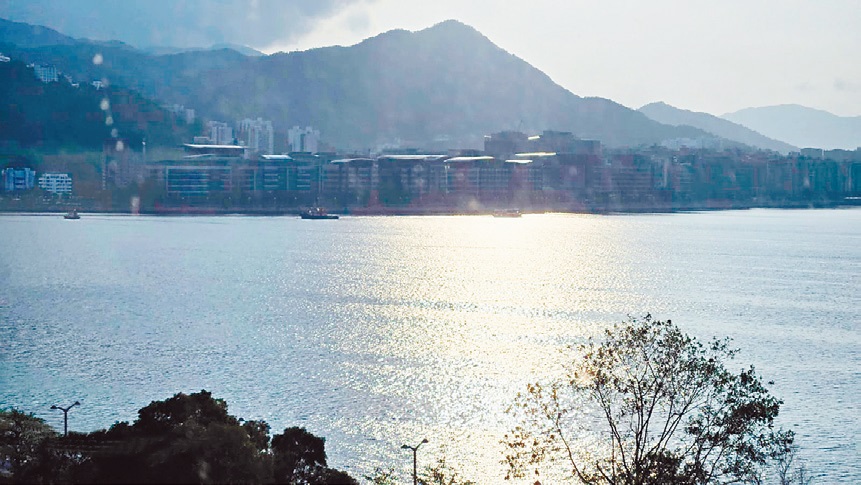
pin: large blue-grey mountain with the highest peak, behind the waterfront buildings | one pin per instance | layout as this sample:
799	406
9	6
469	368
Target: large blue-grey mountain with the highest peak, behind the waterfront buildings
447	86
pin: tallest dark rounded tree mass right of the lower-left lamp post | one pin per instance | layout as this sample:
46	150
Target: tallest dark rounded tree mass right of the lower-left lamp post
188	438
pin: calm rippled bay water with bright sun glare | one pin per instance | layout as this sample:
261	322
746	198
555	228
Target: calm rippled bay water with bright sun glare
378	331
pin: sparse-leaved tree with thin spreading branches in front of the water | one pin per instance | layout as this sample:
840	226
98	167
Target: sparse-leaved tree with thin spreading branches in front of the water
648	404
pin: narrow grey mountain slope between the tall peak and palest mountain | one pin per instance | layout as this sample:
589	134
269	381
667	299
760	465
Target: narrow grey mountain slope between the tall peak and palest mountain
669	115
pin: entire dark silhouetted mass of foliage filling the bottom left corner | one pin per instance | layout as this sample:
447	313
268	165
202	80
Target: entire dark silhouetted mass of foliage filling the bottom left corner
185	439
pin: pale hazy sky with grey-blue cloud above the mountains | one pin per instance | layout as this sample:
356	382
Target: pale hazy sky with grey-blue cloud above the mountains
715	56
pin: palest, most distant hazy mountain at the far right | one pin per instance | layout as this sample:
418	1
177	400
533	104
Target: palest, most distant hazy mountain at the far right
801	126
